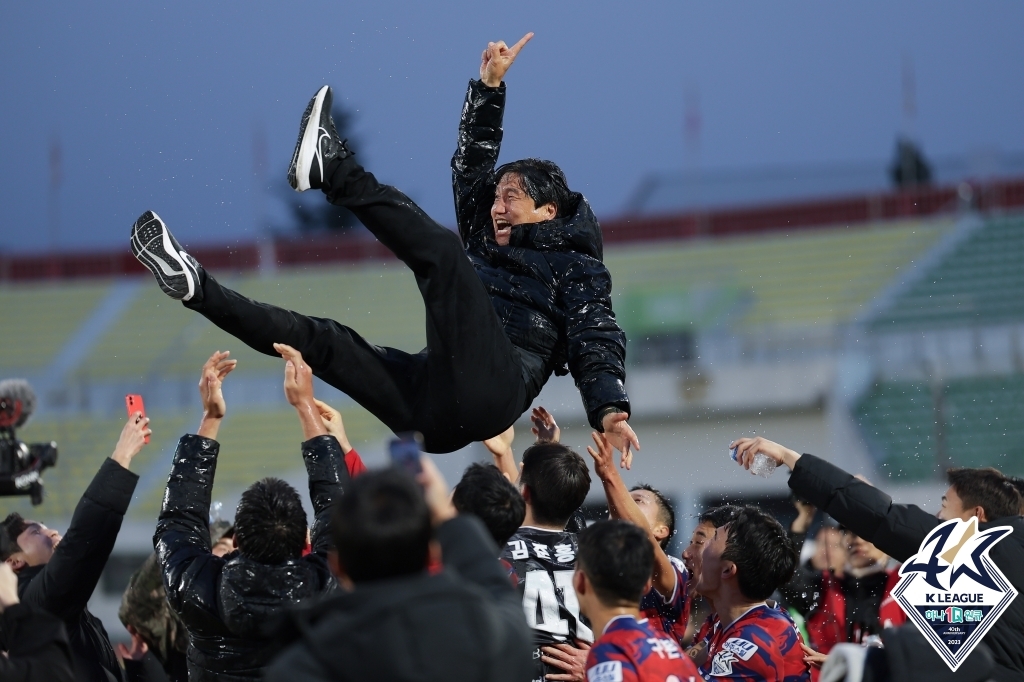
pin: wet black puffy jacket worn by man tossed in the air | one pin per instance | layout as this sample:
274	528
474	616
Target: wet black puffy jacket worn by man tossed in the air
549	287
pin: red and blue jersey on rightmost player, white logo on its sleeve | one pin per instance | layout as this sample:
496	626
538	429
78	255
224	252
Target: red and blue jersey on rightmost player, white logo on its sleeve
760	646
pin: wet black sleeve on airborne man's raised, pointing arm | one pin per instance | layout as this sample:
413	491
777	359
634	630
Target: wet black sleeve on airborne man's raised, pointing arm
474	163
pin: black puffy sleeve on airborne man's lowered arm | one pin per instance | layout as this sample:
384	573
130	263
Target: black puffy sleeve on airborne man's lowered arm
596	345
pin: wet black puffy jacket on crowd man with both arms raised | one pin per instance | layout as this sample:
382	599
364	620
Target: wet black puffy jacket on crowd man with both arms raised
226	602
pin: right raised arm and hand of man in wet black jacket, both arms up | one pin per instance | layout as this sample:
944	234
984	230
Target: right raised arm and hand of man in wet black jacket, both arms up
322	452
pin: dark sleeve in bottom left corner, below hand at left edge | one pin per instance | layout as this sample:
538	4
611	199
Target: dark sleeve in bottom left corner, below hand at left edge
38	650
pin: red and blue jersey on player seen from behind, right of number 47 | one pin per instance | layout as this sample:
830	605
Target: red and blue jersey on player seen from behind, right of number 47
632	651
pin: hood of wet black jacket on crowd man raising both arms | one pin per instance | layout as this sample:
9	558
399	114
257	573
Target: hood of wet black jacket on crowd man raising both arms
252	592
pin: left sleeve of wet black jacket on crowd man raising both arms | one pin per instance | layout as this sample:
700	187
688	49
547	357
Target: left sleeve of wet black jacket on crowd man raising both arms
183	537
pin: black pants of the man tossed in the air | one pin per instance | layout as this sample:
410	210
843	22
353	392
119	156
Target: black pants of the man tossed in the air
468	383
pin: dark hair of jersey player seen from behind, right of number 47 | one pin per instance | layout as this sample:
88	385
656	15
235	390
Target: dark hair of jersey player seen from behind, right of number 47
618	560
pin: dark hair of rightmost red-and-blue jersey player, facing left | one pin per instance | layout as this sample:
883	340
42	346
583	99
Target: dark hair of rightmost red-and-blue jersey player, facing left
761	549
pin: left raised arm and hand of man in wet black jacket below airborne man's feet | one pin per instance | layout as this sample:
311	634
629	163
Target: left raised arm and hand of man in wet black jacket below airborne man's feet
183	536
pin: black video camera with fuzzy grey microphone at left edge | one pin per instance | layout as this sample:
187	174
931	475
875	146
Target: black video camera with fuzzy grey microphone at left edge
21	464
